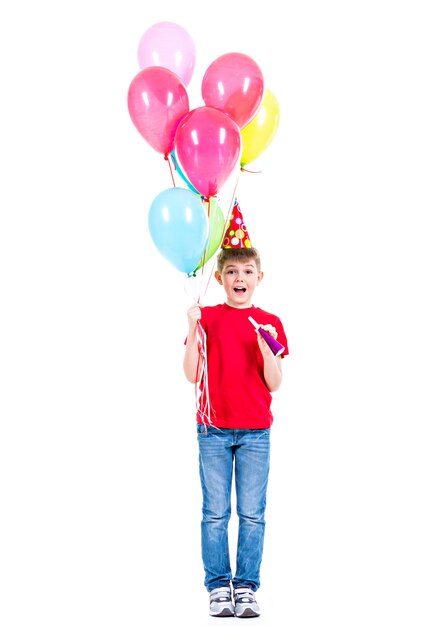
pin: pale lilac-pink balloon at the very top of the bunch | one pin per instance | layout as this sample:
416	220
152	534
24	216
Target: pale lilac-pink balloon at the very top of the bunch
168	45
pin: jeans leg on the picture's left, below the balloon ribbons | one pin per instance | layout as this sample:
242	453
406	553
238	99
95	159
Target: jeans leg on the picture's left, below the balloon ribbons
215	462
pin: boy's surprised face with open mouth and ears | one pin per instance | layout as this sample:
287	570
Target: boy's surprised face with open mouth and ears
239	279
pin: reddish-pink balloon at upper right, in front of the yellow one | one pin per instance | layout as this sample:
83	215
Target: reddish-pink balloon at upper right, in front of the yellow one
234	84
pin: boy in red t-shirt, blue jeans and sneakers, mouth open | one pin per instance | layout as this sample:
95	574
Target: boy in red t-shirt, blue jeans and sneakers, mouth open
233	425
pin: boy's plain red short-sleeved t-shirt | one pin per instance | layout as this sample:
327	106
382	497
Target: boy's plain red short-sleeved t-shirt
239	397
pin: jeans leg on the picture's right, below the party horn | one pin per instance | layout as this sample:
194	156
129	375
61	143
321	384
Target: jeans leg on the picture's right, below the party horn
252	461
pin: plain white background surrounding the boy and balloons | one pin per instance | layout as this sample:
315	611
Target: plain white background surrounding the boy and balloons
100	501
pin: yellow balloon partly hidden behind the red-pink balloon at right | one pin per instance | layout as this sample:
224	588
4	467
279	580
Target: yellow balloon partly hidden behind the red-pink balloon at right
258	133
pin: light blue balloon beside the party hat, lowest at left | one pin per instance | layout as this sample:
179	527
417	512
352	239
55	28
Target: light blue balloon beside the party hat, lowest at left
179	227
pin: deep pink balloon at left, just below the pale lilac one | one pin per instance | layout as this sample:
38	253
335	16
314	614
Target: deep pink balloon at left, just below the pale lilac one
157	101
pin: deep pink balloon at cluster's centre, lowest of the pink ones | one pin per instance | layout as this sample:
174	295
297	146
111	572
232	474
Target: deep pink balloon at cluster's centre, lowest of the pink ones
208	146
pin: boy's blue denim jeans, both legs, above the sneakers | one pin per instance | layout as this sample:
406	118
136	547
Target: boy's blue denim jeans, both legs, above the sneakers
220	450
